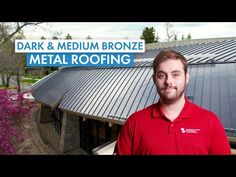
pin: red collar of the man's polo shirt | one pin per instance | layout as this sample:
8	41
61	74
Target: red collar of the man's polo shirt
185	113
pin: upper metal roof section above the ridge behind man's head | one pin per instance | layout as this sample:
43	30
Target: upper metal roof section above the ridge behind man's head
210	52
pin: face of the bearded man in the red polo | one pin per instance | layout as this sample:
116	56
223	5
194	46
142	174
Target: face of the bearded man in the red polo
171	80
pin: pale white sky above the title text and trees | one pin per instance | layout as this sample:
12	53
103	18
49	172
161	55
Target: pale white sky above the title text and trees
130	30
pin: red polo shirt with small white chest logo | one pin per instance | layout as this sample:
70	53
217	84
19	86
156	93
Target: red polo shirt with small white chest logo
194	131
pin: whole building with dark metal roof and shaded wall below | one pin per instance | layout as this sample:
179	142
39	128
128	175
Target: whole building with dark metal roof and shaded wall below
88	106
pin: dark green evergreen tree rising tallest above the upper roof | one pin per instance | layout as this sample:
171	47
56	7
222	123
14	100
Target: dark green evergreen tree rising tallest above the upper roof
149	35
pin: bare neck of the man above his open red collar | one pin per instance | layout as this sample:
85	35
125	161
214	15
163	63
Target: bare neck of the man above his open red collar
173	110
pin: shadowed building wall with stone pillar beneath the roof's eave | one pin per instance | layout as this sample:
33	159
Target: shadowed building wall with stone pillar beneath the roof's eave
74	131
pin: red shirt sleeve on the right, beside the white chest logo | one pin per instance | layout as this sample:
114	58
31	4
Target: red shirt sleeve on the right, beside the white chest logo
219	143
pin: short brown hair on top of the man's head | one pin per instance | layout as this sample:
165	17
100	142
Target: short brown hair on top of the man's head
169	54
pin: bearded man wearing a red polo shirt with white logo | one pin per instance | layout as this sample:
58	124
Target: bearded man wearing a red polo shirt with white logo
173	125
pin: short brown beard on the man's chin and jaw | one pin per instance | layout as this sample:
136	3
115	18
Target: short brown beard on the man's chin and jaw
173	98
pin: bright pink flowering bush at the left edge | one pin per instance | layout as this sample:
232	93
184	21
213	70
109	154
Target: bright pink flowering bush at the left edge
13	109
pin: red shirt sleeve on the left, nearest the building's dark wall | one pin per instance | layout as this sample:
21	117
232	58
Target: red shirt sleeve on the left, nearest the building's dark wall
124	141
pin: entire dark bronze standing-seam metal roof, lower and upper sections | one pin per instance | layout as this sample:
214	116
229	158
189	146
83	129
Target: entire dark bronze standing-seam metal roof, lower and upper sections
115	93
